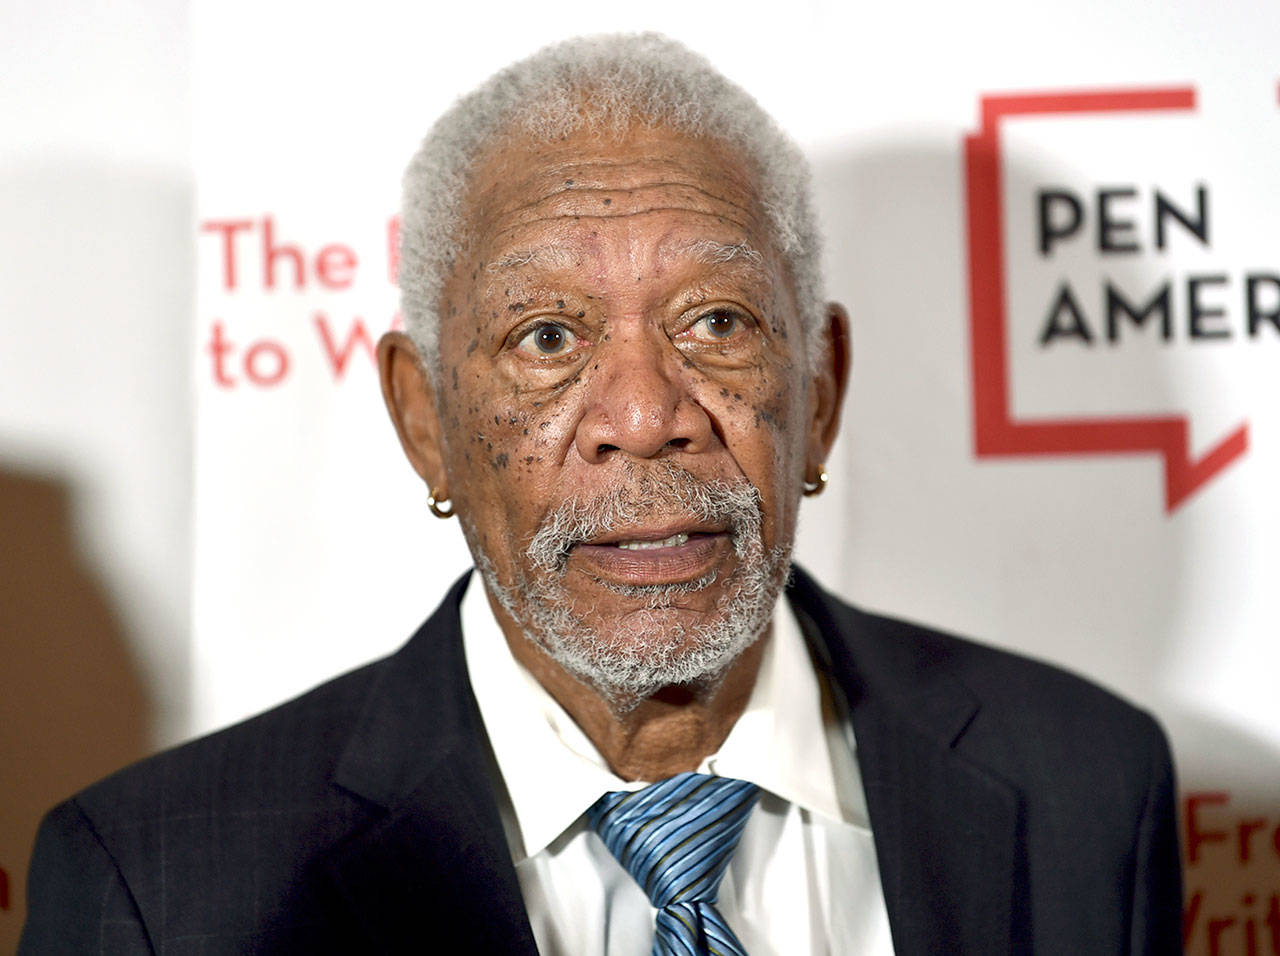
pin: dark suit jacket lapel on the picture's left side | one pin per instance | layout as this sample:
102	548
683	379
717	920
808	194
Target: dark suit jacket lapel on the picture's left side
436	866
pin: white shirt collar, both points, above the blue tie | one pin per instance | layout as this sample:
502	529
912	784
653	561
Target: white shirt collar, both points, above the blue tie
554	772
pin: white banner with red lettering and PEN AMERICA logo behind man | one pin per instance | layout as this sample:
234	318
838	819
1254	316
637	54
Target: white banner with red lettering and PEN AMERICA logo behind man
1057	235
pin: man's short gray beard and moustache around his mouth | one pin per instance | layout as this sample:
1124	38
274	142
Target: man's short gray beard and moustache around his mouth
650	648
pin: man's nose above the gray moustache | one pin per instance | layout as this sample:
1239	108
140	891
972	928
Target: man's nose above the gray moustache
641	402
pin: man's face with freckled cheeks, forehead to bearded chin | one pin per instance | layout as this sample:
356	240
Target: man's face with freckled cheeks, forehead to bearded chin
625	411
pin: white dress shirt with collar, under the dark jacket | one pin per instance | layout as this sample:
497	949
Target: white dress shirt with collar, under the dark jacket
803	879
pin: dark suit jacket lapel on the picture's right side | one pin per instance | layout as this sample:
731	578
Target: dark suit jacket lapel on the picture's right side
945	830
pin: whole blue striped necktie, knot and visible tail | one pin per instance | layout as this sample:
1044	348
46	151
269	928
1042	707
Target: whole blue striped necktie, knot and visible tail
675	838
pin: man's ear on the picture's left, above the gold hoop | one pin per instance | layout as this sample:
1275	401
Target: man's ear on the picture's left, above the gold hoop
410	397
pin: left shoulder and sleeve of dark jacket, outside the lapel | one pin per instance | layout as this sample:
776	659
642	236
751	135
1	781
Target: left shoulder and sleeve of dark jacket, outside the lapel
158	854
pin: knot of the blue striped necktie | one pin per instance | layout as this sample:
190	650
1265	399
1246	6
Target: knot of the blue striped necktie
676	838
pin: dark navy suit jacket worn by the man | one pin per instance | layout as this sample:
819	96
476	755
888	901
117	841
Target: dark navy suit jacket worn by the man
1014	809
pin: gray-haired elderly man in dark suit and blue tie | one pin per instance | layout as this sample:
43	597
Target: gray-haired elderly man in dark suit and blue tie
638	729
